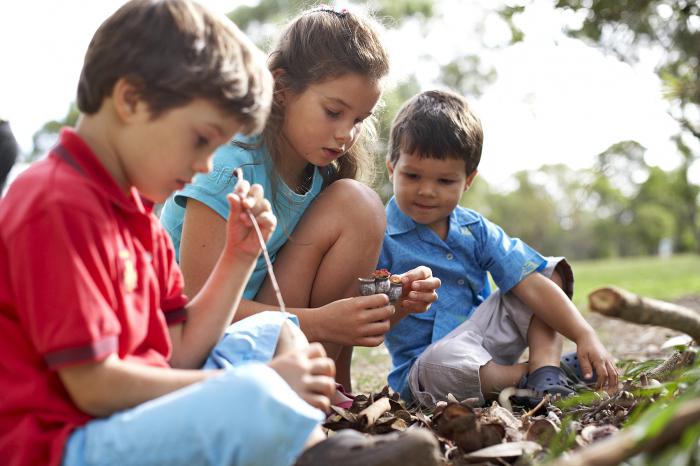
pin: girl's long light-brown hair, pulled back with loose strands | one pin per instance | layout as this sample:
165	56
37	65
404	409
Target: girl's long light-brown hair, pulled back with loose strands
319	45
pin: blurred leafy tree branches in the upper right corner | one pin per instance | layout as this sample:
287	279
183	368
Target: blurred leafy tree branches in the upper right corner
671	27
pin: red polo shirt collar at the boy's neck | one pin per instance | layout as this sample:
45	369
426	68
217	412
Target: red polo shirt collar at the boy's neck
80	156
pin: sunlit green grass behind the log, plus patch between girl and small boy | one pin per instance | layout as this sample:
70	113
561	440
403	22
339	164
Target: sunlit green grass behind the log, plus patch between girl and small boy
665	279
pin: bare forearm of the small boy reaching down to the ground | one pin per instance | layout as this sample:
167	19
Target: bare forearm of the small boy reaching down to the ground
550	303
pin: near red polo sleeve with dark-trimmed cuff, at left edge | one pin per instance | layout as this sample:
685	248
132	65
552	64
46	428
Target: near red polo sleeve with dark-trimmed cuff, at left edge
63	280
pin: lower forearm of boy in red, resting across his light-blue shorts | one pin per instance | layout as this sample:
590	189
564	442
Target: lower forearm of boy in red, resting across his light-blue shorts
112	385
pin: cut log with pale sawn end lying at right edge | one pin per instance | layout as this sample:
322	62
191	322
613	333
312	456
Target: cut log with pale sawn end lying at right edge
622	304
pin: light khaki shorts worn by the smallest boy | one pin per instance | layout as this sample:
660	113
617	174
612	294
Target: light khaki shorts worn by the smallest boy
497	331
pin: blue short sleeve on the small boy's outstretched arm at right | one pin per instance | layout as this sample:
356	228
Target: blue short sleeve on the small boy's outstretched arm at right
509	260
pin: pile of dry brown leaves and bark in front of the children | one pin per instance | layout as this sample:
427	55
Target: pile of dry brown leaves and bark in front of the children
491	435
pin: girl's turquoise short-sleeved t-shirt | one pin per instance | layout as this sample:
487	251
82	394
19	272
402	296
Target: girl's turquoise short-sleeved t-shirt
211	189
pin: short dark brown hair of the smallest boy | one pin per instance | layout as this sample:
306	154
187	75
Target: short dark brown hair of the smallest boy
437	124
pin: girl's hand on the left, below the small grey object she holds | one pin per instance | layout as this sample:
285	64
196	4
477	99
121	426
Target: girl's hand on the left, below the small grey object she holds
360	321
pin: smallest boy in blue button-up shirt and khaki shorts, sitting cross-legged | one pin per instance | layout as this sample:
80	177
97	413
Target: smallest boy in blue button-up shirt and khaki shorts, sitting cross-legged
469	341
